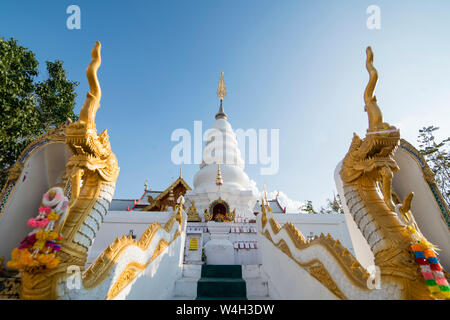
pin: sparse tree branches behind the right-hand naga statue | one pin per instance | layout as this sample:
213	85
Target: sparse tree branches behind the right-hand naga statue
438	158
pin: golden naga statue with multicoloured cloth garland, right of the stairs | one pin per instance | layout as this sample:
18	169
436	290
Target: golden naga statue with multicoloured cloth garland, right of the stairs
389	229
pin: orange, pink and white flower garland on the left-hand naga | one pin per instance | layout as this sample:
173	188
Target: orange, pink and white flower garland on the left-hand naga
38	250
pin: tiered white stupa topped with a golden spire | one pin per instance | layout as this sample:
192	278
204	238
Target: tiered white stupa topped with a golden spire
221	148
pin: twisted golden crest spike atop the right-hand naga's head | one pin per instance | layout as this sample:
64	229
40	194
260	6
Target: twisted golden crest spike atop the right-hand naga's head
371	107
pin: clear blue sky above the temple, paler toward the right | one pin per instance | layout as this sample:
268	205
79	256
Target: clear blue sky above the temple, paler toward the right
297	66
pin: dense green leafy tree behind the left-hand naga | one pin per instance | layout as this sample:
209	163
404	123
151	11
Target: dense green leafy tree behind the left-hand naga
28	108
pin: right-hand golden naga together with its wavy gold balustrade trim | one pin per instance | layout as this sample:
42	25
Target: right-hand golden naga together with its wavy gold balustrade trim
367	172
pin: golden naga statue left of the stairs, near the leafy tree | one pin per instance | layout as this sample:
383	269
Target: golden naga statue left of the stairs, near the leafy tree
92	170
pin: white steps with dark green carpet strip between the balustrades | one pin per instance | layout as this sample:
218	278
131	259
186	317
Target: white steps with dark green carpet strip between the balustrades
232	279
